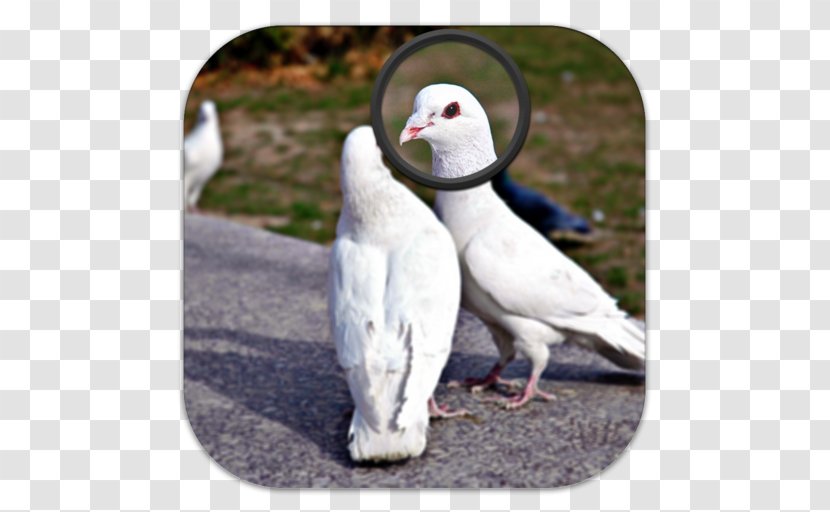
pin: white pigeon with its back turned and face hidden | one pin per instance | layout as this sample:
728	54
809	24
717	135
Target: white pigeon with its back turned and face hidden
394	294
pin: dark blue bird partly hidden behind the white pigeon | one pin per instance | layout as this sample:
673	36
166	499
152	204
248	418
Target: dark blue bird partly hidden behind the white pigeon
547	217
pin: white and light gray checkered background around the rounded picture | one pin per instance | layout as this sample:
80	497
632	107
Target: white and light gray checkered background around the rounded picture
738	106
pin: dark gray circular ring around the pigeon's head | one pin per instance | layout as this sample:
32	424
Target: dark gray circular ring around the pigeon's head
477	41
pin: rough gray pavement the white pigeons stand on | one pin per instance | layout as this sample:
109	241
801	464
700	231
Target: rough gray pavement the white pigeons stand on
267	400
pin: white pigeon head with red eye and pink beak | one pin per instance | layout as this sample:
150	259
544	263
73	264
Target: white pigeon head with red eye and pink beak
446	116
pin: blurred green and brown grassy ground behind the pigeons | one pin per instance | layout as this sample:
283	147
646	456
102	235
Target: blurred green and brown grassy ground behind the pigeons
287	97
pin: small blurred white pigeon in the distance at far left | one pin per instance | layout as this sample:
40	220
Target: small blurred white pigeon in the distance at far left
202	153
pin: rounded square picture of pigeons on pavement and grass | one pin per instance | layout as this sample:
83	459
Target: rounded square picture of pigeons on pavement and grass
348	326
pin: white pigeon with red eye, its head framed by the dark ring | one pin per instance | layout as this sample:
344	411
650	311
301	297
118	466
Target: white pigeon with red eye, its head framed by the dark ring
528	293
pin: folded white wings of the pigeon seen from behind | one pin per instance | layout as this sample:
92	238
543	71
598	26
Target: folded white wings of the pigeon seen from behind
393	317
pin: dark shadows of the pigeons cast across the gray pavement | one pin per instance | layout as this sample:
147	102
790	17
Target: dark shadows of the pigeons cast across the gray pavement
299	384
